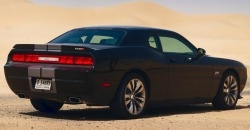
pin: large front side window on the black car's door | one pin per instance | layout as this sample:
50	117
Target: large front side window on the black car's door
172	45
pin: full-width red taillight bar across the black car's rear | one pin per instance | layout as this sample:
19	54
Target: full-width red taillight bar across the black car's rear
54	59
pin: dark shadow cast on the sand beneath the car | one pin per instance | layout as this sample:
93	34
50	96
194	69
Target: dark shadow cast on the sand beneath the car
104	113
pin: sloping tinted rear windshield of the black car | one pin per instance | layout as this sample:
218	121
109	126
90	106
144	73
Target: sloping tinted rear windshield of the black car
90	36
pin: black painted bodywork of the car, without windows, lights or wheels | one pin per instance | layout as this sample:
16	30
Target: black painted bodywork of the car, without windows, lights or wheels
170	78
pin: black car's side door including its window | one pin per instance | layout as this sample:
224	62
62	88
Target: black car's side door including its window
189	76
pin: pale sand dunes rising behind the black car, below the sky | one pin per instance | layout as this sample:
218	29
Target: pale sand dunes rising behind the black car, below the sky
221	35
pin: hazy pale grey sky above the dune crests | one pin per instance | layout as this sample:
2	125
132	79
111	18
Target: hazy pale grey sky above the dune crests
185	6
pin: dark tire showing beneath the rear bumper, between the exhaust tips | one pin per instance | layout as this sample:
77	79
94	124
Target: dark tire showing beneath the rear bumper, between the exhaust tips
46	106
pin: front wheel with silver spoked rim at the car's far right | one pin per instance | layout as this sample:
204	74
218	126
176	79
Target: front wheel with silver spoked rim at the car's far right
228	92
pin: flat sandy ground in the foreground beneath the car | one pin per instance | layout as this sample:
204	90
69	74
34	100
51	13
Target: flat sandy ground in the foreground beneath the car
17	113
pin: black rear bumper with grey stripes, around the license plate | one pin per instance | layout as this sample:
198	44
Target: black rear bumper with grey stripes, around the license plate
67	81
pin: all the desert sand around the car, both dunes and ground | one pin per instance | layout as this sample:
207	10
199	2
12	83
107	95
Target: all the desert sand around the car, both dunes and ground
222	35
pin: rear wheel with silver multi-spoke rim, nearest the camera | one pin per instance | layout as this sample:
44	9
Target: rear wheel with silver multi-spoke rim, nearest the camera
131	98
